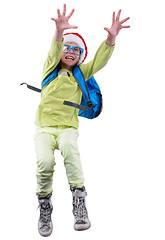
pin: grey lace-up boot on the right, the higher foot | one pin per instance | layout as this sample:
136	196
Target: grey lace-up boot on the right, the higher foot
80	213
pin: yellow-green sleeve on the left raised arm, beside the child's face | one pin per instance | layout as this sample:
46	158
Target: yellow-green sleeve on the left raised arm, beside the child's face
53	58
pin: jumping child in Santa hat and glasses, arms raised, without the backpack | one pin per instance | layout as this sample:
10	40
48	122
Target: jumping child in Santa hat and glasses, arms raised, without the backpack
57	124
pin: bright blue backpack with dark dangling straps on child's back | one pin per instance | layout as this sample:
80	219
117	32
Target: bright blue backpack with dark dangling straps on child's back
91	102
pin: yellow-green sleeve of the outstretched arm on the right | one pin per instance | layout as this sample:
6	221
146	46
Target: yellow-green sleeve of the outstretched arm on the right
100	59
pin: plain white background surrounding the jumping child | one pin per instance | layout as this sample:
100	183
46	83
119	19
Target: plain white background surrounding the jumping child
122	151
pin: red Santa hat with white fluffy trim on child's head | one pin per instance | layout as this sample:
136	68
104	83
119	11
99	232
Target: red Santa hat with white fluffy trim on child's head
78	39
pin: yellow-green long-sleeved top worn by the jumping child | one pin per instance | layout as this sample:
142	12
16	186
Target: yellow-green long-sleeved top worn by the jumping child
51	111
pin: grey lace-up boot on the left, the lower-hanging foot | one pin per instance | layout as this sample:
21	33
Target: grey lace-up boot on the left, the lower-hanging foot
45	225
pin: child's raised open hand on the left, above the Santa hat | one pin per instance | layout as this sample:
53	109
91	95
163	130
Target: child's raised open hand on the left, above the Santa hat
62	20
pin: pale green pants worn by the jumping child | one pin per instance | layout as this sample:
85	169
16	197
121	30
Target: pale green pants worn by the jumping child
46	141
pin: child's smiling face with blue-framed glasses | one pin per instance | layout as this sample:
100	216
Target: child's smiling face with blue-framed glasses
69	59
